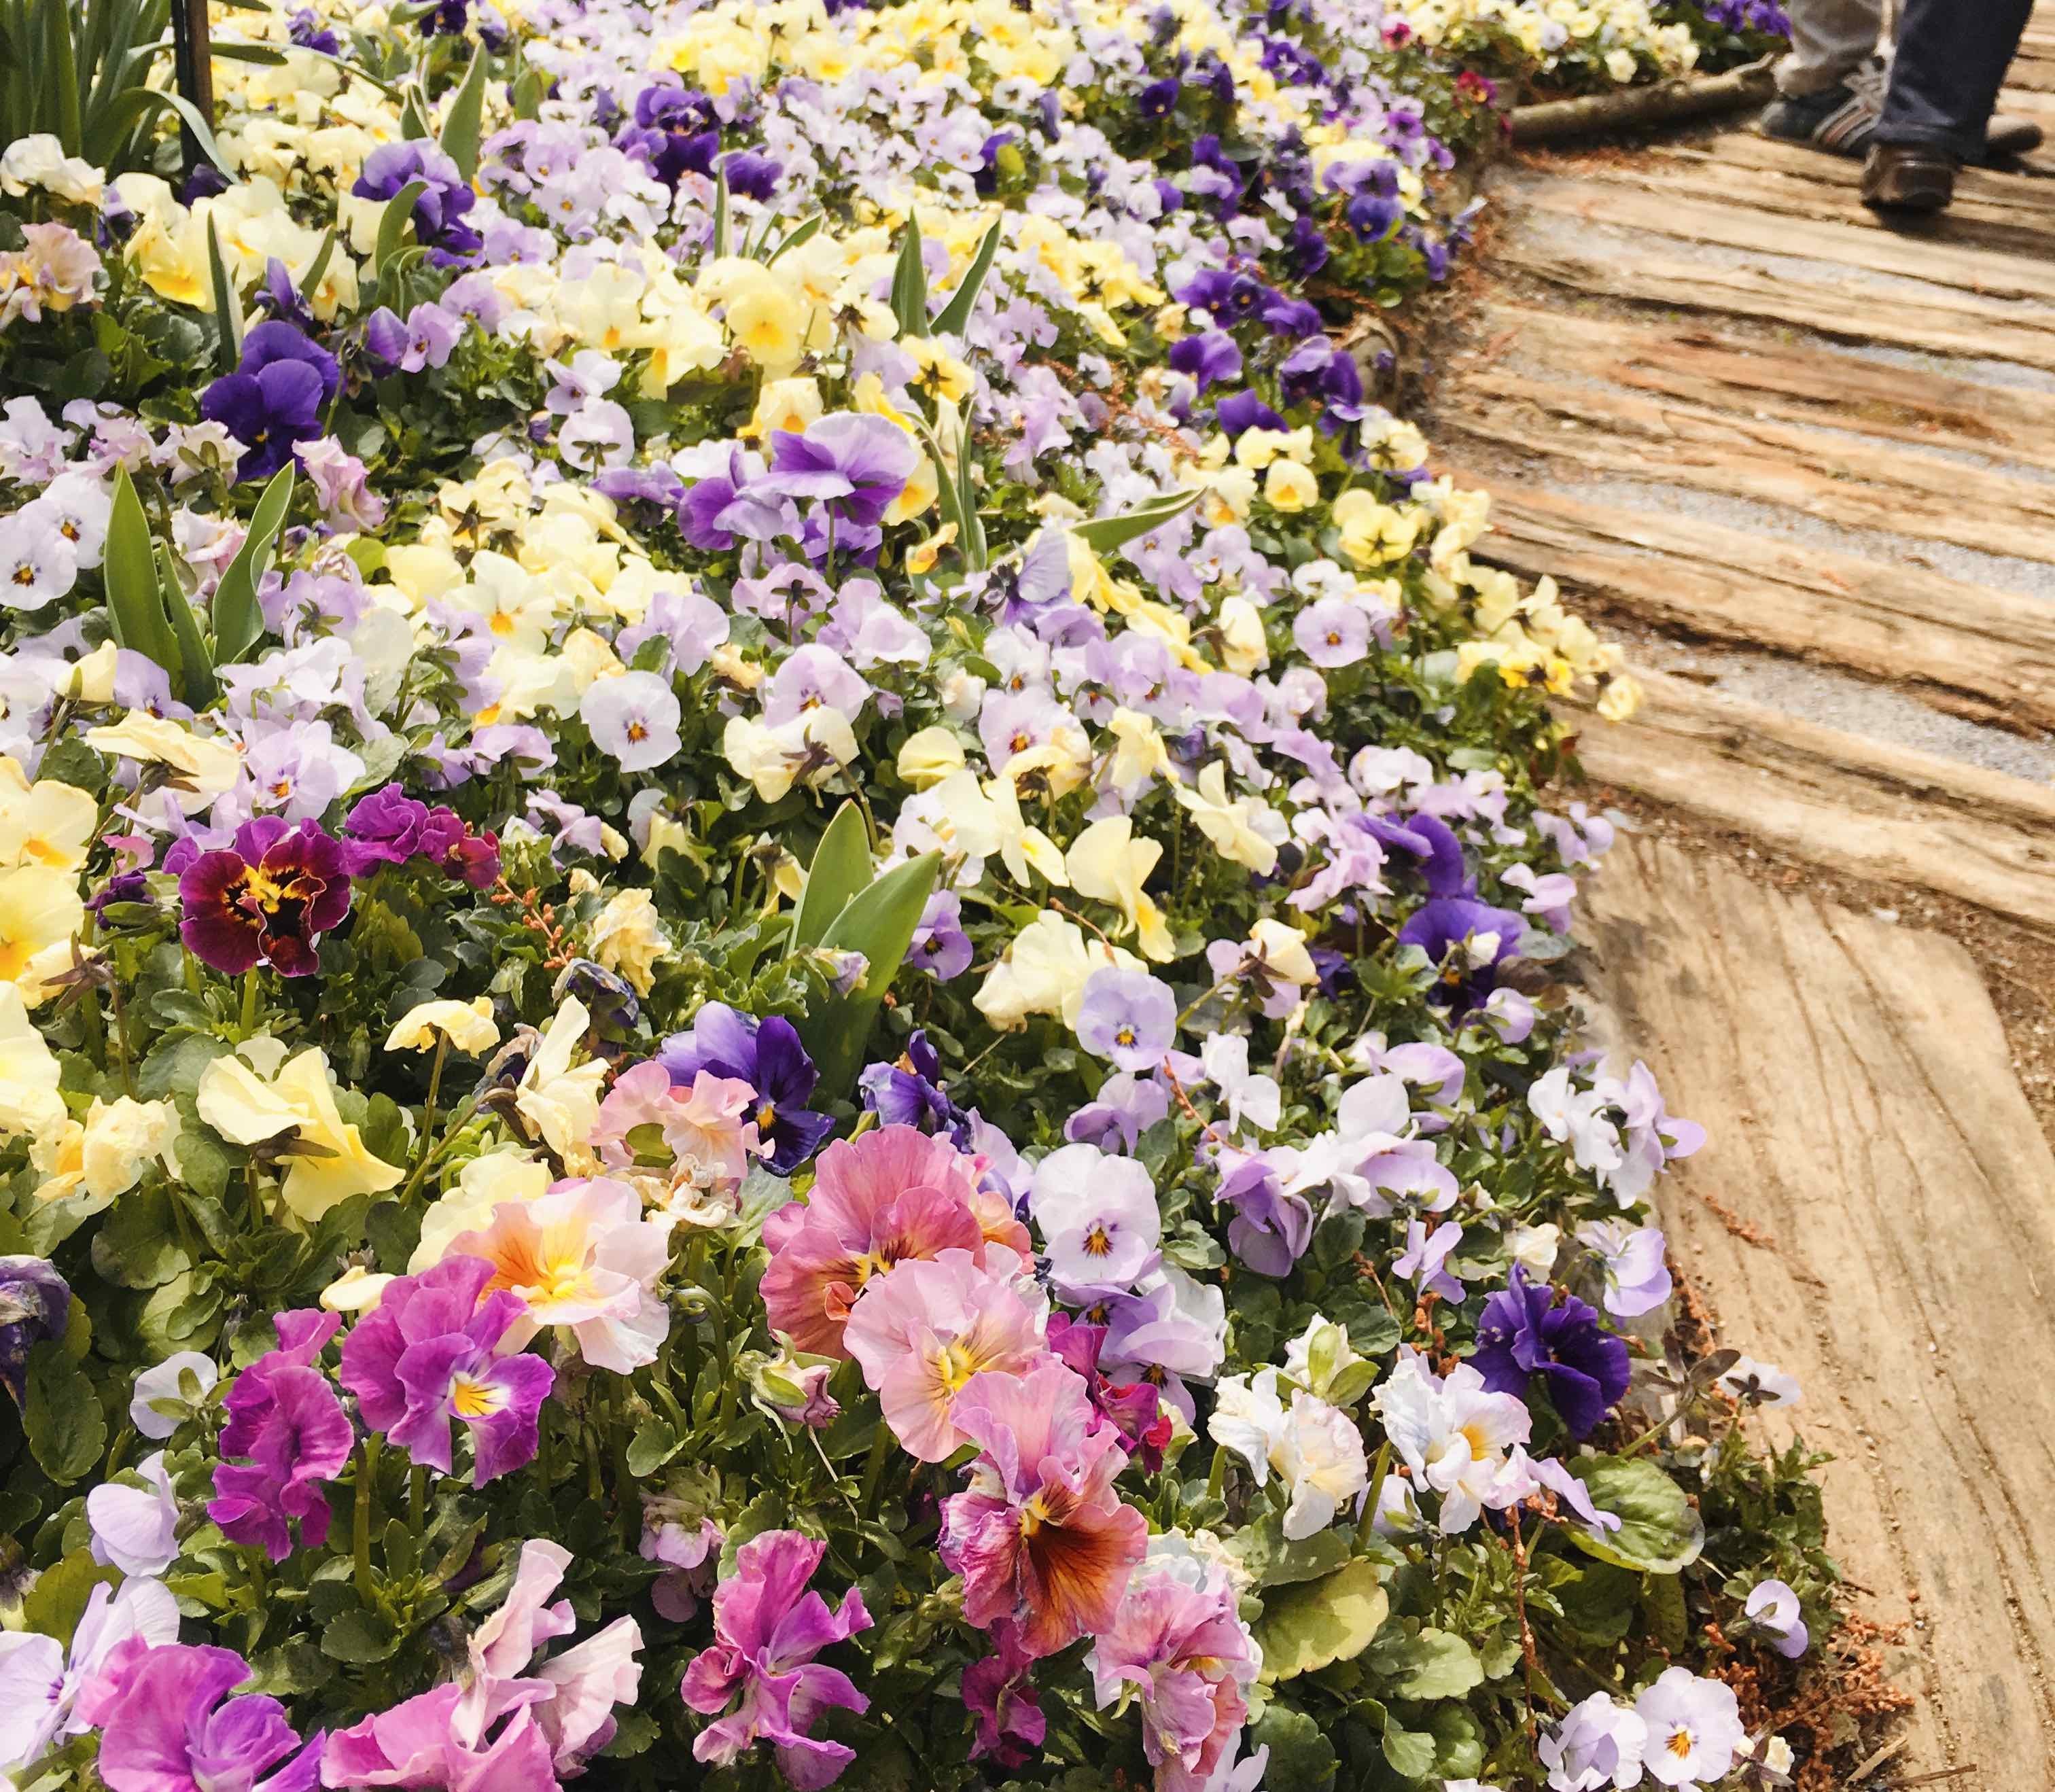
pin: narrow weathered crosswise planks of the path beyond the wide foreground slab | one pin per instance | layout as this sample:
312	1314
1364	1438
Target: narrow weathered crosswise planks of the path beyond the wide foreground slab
1721	404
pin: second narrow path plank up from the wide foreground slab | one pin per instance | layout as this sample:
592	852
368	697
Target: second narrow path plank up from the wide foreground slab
1968	650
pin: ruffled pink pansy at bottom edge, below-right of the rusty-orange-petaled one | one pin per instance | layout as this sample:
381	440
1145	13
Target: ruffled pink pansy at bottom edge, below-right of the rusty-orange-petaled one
1189	1657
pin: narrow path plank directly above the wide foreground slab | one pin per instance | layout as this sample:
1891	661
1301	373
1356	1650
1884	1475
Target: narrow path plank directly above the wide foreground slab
1836	798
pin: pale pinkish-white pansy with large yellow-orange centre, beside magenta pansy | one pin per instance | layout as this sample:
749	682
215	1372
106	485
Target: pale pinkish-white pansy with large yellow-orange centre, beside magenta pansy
581	1257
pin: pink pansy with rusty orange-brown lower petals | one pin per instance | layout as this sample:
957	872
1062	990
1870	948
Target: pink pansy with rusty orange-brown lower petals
1041	1536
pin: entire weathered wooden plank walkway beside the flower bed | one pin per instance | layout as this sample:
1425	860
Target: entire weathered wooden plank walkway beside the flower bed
1807	468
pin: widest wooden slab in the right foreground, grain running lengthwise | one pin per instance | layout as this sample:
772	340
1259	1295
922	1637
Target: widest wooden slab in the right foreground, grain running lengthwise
1865	1117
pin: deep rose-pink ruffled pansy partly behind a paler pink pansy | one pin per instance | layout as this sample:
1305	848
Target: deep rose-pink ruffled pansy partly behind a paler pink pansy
876	1201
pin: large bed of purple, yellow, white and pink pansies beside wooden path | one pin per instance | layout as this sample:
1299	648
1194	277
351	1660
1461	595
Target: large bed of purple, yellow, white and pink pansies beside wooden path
776	948
